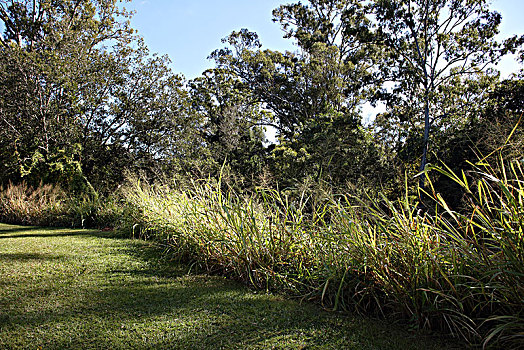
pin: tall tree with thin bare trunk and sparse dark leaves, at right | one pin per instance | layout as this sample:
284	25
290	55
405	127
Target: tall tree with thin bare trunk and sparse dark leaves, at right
429	47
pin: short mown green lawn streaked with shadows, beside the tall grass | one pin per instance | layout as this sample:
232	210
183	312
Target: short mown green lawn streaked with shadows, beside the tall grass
83	289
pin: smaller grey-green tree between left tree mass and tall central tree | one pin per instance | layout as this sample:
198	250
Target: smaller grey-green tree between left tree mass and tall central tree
228	127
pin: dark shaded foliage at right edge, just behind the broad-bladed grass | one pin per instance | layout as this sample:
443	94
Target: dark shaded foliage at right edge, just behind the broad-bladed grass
497	116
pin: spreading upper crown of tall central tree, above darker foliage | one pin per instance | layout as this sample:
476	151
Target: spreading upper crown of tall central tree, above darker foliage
330	71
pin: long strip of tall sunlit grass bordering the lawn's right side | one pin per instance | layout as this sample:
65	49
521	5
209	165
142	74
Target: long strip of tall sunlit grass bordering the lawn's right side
438	268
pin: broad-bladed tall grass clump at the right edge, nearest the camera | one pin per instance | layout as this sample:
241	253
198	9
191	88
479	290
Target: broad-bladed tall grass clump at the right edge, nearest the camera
490	239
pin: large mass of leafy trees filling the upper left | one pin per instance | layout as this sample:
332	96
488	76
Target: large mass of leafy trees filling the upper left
83	99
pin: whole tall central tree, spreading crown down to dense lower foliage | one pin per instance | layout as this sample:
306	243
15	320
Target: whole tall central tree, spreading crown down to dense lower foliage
314	94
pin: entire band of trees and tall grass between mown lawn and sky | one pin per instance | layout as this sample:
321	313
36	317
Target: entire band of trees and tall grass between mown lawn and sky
416	213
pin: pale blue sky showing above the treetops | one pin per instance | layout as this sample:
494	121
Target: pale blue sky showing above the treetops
189	30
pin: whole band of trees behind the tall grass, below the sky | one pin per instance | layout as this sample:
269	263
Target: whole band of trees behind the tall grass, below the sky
83	101
